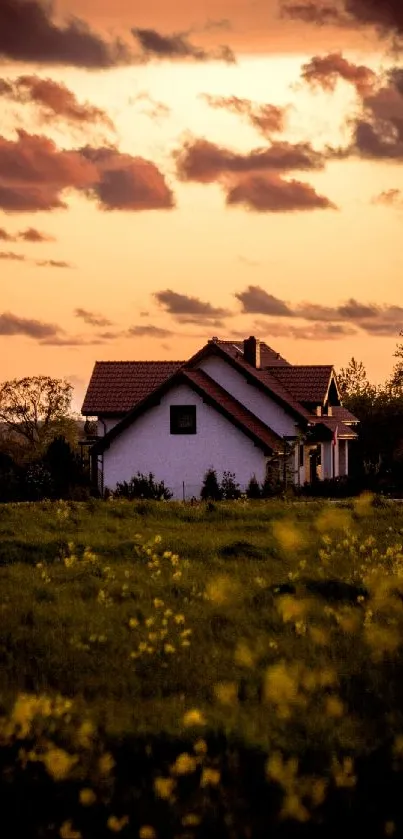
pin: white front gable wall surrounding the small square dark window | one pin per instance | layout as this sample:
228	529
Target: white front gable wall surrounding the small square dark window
147	446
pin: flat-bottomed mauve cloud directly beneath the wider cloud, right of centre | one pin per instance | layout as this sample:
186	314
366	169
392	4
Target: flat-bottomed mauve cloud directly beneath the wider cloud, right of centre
275	195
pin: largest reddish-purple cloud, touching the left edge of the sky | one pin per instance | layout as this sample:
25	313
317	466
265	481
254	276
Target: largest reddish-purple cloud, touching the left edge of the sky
35	174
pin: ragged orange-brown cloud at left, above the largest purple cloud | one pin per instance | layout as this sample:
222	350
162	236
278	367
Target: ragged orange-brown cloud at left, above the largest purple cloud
55	101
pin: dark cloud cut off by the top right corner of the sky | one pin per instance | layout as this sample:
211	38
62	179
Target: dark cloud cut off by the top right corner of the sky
385	15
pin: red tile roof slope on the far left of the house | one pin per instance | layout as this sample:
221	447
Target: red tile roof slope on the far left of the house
116	386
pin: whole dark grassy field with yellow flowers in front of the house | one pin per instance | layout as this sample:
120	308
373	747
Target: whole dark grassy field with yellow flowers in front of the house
222	670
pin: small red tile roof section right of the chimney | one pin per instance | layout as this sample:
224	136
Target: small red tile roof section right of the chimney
307	383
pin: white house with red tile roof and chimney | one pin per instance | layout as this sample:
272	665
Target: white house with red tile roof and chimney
234	406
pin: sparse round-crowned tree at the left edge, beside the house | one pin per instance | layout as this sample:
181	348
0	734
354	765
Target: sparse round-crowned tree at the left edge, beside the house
30	407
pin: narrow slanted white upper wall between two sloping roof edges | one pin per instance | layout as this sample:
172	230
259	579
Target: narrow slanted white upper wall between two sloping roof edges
258	402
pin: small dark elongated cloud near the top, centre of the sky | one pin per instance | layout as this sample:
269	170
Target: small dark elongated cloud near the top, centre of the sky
177	46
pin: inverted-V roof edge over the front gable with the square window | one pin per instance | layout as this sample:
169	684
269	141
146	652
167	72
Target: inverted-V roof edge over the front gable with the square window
212	393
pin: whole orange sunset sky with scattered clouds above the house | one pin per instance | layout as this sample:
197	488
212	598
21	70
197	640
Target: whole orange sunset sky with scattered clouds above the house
225	167
